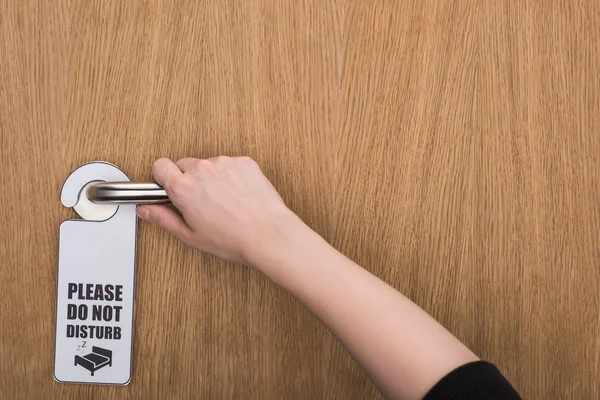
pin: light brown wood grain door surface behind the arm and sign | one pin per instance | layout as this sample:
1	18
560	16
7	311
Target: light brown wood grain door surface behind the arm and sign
450	147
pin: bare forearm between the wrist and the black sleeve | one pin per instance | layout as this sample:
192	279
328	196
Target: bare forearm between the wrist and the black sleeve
402	348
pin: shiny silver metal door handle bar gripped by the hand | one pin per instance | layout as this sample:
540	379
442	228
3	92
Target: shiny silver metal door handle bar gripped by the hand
127	193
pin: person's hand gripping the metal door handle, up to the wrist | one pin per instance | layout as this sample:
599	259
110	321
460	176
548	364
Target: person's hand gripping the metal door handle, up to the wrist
228	207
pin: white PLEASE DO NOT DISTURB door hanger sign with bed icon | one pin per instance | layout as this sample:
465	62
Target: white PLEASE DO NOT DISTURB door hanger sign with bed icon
96	269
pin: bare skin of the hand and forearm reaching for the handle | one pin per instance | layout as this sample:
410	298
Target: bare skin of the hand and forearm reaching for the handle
230	209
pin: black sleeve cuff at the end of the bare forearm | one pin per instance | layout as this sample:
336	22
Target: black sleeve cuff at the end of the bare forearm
477	380
